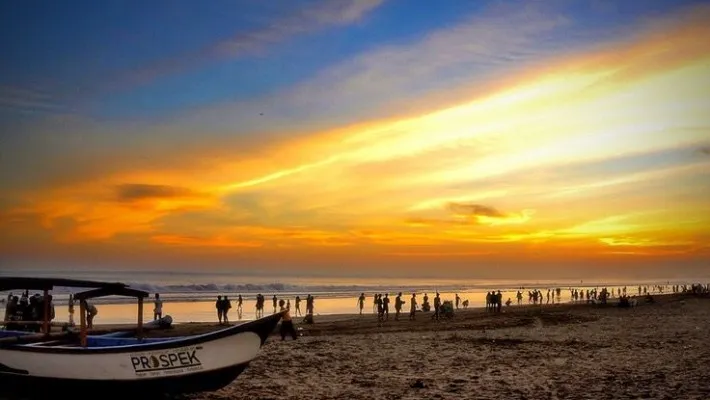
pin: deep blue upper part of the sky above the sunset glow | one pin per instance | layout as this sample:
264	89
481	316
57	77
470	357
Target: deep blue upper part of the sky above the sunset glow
120	59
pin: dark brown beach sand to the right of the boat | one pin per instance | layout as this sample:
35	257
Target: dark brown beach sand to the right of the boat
660	350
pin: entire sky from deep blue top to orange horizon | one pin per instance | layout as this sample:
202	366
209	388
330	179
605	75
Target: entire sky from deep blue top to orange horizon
364	138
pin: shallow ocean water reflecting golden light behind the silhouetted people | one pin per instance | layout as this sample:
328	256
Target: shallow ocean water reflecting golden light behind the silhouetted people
190	296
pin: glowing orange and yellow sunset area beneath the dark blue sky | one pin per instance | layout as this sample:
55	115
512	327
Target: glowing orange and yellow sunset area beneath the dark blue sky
596	152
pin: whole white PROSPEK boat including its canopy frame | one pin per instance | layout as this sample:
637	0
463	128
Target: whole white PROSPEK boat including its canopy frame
79	362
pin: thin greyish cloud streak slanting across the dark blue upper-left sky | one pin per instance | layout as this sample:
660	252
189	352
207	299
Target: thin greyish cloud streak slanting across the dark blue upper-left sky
271	25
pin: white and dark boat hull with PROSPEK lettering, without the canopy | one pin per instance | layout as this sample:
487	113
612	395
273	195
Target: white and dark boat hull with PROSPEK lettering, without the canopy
191	364
